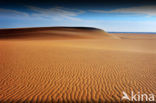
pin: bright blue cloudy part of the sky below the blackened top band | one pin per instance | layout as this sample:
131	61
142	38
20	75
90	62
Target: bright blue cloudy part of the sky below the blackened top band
140	18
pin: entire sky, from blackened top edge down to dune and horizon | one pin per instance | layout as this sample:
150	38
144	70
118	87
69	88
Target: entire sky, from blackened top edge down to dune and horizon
118	16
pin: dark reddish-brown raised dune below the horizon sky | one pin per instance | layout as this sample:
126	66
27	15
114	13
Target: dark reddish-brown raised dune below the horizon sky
52	33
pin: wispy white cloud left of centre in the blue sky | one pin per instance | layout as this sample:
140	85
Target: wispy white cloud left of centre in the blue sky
57	13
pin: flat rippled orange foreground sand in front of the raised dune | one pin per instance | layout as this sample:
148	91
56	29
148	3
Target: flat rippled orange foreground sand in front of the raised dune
44	71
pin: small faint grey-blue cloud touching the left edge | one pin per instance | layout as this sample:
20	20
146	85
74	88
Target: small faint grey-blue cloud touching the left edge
9	12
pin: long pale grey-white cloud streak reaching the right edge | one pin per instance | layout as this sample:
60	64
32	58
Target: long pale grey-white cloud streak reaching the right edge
146	10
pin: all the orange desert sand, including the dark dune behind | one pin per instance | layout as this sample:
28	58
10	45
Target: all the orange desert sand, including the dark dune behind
74	65
